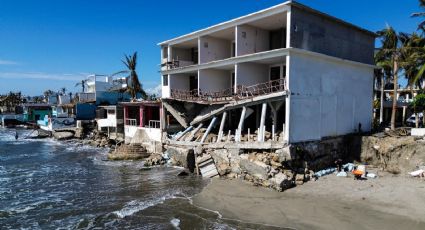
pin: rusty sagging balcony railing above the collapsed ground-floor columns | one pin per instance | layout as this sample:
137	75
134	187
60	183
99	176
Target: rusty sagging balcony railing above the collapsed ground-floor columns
242	92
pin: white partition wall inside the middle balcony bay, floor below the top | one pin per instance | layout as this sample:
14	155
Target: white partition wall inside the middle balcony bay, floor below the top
214	80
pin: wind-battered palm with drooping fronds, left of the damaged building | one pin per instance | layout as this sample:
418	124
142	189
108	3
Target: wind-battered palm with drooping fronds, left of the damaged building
133	84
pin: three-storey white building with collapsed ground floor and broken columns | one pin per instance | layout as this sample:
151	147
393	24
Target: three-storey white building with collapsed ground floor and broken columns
285	74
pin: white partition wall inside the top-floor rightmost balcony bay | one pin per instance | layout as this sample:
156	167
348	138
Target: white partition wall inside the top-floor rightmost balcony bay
256	40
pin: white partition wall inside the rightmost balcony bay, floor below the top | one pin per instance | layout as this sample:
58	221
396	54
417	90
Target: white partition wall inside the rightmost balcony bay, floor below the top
248	74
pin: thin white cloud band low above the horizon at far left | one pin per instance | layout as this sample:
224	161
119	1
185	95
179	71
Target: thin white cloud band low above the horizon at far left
42	76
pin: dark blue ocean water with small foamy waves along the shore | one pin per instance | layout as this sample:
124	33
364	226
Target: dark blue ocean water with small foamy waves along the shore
47	184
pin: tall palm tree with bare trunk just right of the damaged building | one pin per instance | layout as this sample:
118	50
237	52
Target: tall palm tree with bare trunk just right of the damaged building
388	57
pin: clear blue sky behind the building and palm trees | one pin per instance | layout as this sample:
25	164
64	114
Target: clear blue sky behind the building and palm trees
49	44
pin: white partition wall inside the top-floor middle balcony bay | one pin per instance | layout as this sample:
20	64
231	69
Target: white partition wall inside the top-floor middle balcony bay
217	49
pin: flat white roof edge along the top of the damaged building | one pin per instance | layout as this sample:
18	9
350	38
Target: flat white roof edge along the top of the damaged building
274	9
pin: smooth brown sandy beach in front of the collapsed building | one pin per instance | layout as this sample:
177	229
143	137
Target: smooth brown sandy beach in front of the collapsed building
388	202
